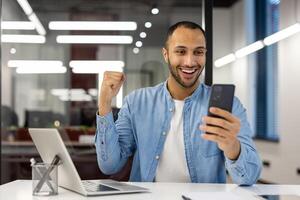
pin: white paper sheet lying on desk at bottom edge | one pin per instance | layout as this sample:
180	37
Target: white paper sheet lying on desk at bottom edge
214	196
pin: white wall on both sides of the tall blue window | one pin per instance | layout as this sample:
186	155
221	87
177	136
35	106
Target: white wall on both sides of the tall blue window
230	33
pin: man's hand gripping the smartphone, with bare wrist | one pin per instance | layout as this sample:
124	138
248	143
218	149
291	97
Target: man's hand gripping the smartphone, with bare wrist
223	131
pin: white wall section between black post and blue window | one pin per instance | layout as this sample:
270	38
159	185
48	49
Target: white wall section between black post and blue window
230	32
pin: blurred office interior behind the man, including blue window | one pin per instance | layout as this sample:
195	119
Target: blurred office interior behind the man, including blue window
266	80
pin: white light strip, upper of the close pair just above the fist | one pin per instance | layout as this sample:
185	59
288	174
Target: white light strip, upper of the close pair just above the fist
96	63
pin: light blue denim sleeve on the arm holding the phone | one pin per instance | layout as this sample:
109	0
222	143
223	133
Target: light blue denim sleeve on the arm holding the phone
247	168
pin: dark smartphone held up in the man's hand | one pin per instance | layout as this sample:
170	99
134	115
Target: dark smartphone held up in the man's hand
221	97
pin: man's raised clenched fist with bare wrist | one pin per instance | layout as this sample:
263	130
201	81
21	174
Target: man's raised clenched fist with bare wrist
111	84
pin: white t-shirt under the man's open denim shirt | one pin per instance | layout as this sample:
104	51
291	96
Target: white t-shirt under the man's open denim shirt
172	166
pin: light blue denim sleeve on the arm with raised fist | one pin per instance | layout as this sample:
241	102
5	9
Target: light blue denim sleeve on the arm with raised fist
114	141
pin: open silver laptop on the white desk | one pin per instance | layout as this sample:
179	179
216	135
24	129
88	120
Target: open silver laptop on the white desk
49	143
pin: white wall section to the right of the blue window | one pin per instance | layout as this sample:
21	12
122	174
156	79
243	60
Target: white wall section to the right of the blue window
284	156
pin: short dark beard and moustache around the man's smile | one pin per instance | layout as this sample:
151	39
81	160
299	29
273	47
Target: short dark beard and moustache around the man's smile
175	74
